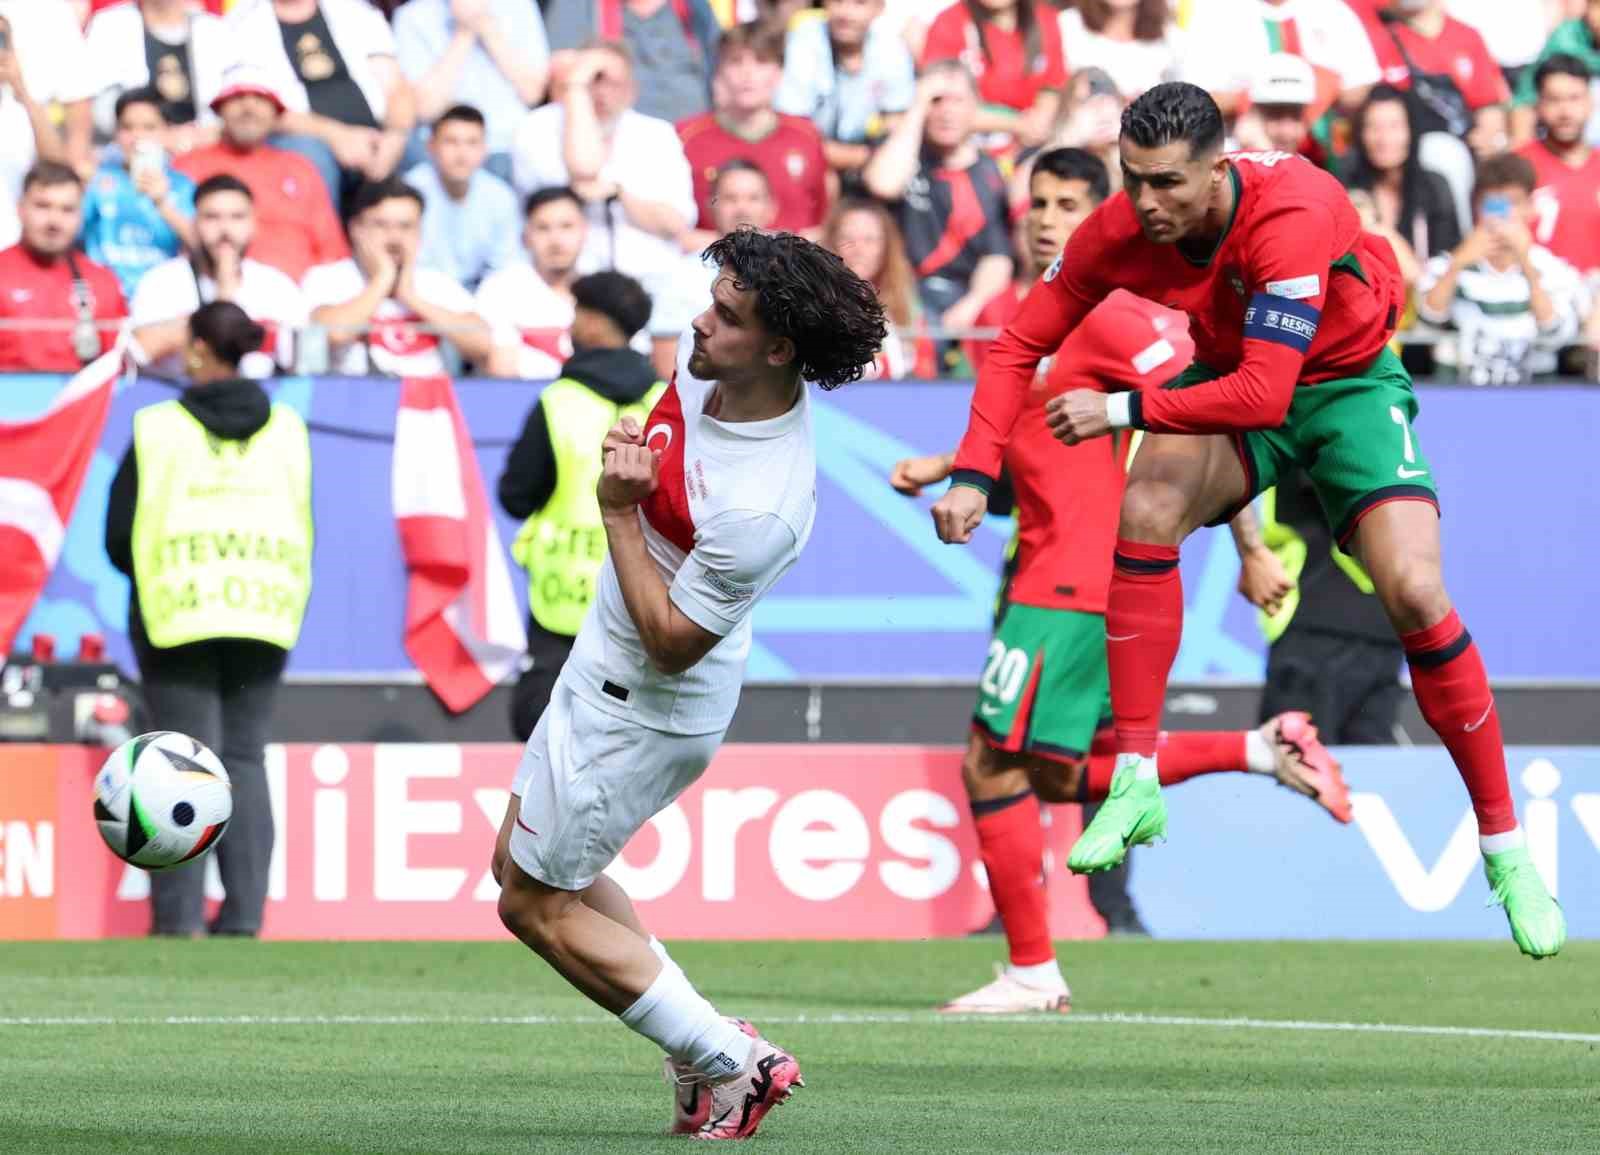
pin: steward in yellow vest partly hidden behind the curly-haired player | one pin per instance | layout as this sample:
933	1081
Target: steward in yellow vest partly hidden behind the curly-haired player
551	474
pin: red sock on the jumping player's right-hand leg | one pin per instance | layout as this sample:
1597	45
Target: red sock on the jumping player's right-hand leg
1454	693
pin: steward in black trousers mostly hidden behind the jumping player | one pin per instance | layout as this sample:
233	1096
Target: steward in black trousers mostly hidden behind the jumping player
1332	649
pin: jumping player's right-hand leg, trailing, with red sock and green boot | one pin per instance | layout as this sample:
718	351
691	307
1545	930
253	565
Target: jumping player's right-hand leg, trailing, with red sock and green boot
1399	546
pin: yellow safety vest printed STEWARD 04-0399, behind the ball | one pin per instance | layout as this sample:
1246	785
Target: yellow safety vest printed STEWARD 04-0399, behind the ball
223	530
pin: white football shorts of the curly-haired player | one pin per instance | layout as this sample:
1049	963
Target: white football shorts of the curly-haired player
590	781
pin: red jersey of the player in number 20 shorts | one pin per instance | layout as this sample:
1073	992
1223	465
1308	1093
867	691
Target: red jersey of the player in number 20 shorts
1070	497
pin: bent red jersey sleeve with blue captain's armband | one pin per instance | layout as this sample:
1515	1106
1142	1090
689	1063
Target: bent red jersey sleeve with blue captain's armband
1281	324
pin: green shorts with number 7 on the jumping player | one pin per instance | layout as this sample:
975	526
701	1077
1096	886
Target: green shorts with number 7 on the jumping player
1353	436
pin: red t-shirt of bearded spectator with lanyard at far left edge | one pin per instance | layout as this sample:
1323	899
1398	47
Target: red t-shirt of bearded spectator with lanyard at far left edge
36	290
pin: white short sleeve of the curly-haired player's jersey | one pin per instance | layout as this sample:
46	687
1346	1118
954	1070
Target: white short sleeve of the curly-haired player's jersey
738	556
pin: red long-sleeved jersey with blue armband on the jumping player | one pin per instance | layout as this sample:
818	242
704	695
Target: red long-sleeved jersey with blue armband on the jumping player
1295	292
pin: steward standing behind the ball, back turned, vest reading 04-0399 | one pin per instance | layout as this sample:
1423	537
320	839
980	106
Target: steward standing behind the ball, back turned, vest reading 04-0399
210	516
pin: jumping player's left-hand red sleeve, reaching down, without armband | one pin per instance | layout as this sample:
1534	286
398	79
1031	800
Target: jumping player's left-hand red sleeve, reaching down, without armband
1054	308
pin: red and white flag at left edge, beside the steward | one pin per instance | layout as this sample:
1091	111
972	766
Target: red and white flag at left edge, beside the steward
42	466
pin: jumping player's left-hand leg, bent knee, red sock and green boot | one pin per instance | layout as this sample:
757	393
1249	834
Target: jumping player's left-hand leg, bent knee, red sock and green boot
1175	486
